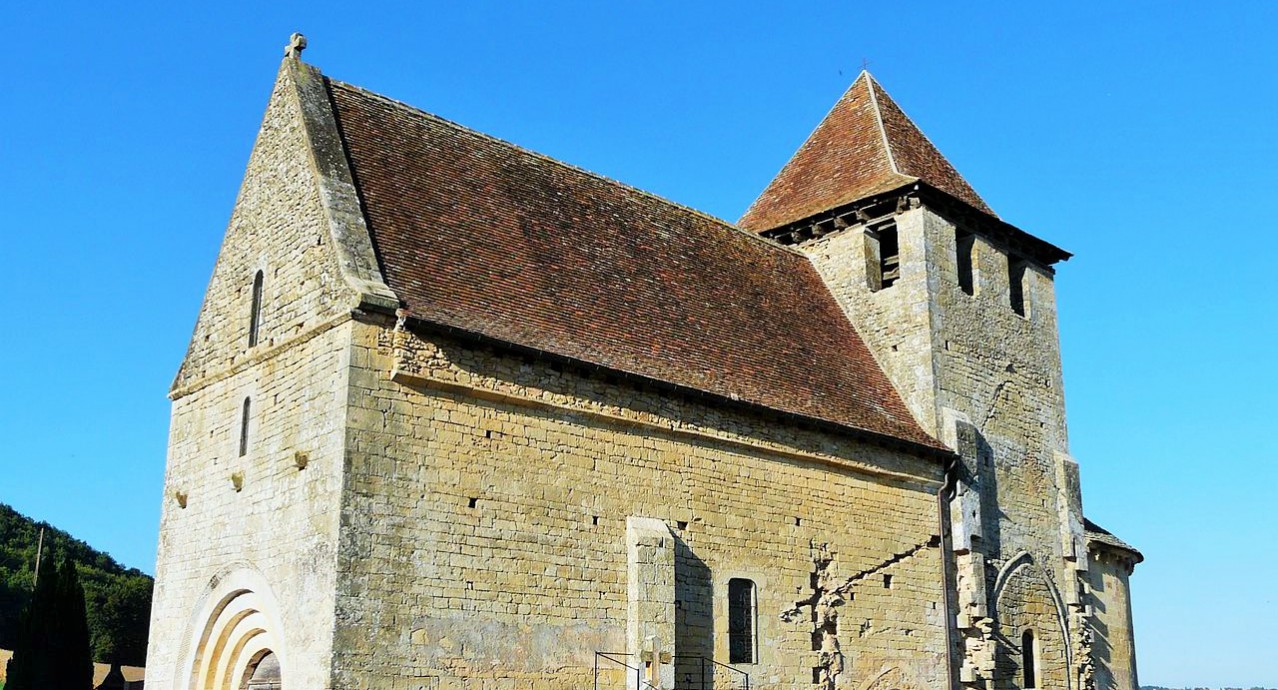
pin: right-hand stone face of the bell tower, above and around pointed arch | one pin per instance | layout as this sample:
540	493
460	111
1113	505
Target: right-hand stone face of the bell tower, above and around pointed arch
1003	371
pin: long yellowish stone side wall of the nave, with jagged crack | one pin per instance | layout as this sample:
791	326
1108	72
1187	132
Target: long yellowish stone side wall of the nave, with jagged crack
485	530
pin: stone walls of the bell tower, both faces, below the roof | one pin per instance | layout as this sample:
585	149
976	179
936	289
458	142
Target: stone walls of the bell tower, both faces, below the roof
971	361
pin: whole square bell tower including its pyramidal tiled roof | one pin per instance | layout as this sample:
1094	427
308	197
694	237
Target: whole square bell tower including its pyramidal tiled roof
959	309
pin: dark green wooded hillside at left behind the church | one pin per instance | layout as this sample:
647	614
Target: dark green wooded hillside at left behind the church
118	599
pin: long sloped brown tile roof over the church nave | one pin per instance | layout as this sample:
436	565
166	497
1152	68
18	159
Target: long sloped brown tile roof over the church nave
481	236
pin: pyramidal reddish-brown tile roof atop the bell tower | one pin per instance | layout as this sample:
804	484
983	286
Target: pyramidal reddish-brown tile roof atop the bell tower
866	146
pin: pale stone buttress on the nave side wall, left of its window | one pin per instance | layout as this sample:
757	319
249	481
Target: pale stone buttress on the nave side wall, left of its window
651	601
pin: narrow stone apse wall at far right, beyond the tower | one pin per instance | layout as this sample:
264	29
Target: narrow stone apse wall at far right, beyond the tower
1115	645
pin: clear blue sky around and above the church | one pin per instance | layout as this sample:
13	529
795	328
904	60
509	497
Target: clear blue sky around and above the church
1141	136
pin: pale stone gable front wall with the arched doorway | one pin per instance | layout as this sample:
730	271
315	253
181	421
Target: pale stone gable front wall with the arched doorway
259	531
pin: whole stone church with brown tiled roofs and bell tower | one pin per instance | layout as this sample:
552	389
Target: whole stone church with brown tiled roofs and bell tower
461	416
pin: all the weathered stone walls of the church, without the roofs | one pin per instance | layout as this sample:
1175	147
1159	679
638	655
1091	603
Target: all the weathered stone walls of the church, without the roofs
416	509
